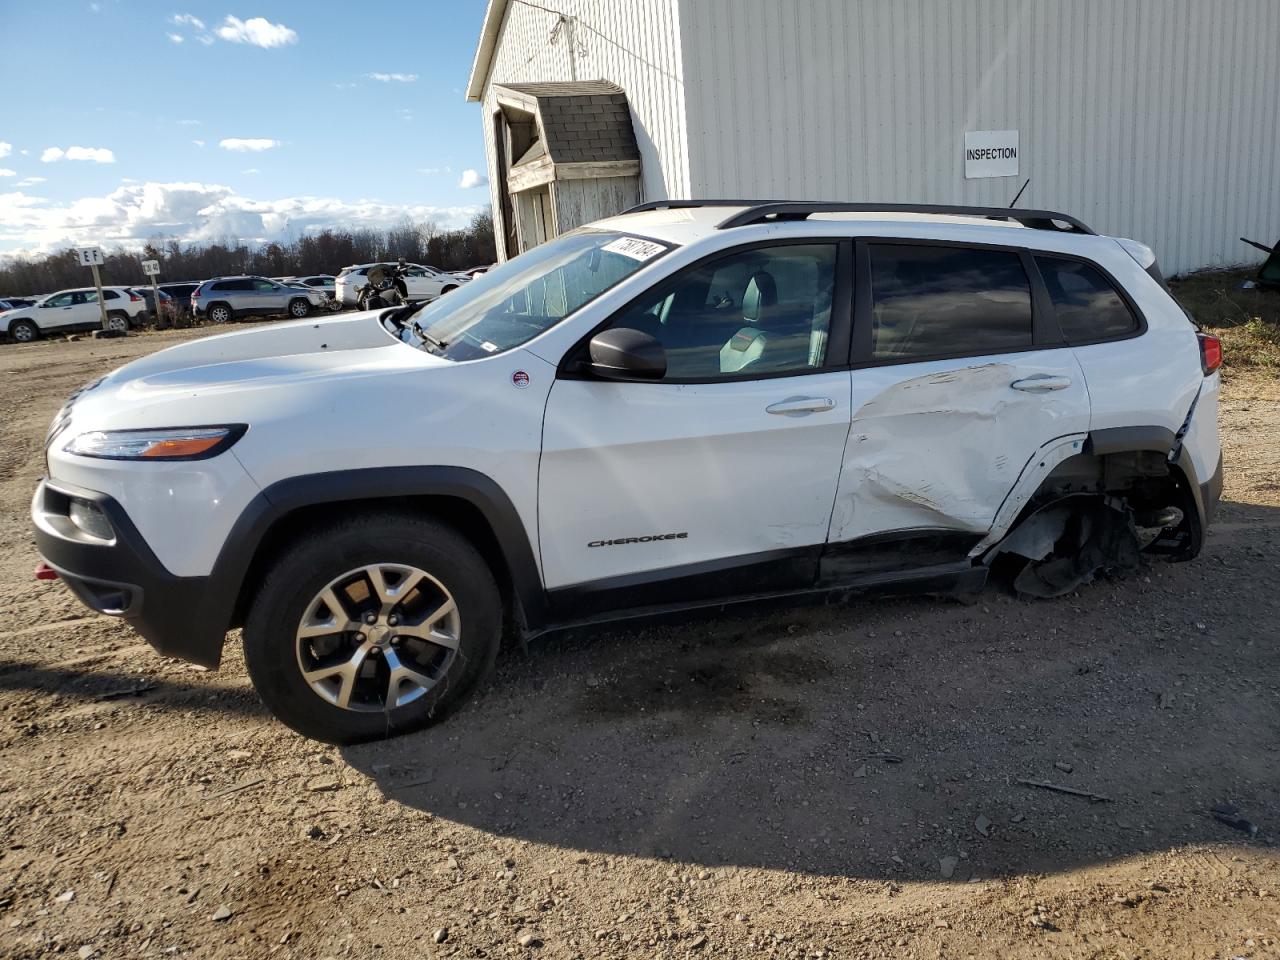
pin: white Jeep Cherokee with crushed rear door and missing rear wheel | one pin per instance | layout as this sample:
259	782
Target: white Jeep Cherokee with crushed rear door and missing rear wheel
685	405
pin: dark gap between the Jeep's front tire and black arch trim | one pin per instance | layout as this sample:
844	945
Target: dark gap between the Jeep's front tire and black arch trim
458	513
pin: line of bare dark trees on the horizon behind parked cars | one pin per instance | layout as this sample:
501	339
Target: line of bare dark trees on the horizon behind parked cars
322	253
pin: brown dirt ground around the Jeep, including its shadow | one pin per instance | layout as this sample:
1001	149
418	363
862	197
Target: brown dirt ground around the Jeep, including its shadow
834	781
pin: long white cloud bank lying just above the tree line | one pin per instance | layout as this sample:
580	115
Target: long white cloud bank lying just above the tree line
132	214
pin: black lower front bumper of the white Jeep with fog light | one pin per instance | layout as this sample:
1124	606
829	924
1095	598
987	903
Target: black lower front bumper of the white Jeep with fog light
122	578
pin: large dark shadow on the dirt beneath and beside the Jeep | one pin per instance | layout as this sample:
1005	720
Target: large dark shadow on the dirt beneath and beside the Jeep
879	739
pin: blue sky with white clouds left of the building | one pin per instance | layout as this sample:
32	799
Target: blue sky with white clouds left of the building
127	121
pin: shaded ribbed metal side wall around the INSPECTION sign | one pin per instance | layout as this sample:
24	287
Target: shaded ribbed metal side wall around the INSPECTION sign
1155	120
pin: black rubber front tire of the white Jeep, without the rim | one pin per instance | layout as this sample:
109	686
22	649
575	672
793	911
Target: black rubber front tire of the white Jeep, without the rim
312	564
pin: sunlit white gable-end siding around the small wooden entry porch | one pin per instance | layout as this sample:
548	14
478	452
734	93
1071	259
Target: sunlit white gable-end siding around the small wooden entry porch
632	43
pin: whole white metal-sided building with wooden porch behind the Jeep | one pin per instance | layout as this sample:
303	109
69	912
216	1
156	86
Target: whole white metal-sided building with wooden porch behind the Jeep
1155	120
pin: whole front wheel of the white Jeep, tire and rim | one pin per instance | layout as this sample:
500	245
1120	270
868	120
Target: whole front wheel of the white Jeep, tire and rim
373	628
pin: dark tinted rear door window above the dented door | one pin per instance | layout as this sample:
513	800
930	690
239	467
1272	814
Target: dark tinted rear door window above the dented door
939	301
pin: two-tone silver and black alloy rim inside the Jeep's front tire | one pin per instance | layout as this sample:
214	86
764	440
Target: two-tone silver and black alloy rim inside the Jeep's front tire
378	638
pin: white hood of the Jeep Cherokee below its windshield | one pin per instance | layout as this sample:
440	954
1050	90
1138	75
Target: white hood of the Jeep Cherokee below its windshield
226	377
